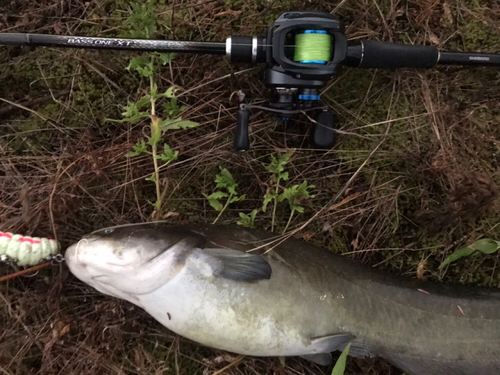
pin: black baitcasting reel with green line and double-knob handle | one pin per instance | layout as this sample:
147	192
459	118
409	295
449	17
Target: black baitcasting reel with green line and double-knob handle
303	51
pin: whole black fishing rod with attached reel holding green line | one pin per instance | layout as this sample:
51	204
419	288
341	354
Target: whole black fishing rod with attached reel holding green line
302	51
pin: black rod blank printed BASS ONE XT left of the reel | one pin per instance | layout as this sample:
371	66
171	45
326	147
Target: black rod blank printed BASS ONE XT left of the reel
215	48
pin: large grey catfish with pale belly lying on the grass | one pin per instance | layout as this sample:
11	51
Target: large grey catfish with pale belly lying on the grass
295	299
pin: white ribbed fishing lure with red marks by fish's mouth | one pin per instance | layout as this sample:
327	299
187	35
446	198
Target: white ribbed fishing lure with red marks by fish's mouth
26	251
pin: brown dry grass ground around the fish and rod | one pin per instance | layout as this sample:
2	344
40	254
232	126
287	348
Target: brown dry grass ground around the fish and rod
417	154
